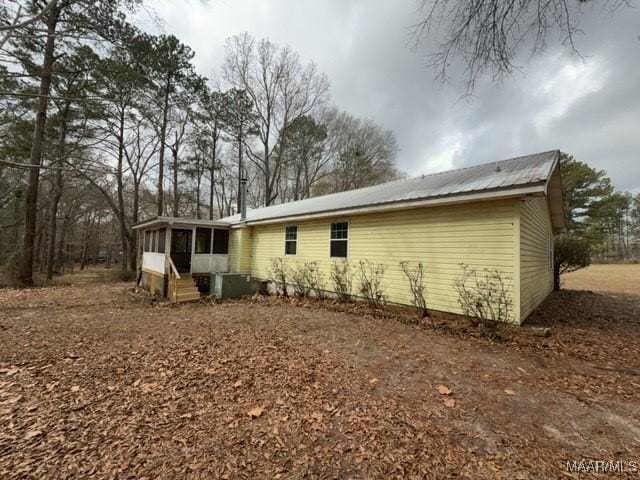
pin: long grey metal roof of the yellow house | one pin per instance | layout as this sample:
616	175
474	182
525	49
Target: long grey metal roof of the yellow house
527	174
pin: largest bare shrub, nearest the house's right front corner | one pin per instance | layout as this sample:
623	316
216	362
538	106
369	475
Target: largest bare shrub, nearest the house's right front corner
483	297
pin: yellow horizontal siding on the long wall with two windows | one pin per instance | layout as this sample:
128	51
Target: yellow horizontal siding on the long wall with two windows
480	235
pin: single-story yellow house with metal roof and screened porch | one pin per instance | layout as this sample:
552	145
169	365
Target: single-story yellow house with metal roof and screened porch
501	216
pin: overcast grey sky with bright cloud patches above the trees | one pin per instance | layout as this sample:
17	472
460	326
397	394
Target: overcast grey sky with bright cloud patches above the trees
587	107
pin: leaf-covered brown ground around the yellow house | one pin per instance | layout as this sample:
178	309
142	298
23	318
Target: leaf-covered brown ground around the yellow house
96	381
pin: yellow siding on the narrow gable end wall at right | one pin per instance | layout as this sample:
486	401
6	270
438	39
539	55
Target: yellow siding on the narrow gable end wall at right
535	242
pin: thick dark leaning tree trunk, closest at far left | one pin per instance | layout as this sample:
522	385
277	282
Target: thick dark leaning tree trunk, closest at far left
31	197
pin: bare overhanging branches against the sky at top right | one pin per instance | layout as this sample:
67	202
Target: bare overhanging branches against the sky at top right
488	35
